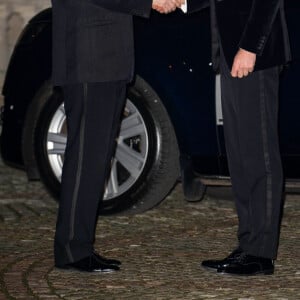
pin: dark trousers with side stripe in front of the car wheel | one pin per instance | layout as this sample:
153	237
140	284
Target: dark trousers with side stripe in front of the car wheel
93	113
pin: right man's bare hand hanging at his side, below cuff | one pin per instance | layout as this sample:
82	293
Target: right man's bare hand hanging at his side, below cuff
243	63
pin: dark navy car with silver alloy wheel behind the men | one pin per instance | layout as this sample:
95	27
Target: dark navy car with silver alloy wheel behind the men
173	109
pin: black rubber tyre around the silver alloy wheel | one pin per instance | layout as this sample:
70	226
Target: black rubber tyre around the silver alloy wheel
161	166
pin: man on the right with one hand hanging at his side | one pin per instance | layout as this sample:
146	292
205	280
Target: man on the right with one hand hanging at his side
250	45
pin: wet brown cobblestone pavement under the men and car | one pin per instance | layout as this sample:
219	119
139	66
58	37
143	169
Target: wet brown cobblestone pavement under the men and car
161	250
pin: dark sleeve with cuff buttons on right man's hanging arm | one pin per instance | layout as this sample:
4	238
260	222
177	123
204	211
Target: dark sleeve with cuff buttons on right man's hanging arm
259	25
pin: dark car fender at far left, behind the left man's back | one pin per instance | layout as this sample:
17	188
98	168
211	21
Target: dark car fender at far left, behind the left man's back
29	67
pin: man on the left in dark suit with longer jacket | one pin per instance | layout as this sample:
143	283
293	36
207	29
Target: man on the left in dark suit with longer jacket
92	61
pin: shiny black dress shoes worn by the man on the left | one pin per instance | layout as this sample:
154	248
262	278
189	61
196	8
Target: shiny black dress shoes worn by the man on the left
91	264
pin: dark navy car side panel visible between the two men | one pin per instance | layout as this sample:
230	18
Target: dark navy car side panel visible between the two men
173	54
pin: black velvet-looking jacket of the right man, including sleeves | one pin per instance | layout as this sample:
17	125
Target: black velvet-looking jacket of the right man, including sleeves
258	26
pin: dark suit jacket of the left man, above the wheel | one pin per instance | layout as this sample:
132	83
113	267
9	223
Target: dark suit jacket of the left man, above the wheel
93	39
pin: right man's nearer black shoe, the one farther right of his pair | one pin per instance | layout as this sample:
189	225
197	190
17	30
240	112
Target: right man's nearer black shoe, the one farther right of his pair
249	265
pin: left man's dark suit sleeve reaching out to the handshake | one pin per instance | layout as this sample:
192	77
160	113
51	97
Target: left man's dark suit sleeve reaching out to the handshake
140	8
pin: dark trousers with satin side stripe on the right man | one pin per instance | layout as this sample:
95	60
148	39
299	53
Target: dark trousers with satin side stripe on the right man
250	109
